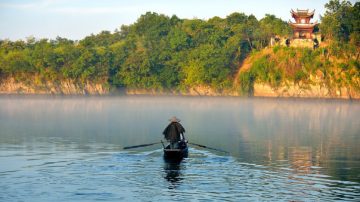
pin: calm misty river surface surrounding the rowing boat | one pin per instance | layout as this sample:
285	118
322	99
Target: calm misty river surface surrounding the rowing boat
70	149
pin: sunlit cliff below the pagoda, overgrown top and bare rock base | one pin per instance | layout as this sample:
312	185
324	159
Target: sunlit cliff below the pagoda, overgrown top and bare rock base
299	72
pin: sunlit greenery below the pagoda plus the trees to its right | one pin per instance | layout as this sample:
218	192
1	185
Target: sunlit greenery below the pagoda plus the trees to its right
334	66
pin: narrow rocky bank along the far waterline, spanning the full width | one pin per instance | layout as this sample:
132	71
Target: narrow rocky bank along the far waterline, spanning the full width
10	86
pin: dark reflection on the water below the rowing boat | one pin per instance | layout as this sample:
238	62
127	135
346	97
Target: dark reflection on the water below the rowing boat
173	171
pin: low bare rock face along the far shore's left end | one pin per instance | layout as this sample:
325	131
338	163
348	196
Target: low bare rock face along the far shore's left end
66	87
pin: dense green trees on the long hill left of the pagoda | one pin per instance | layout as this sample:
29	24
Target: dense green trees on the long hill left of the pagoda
156	52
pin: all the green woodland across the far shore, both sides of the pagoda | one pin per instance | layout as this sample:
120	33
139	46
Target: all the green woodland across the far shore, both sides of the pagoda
168	53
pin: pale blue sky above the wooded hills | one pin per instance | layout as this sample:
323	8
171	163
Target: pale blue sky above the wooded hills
76	19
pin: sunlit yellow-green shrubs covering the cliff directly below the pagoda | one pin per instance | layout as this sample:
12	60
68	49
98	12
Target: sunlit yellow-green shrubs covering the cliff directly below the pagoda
301	66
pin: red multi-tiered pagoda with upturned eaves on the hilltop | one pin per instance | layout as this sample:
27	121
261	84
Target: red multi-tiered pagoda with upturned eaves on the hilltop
302	27
